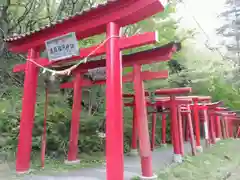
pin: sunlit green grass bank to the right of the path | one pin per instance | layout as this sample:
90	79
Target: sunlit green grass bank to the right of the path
217	162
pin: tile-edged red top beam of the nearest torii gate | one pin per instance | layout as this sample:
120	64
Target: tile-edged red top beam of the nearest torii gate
88	23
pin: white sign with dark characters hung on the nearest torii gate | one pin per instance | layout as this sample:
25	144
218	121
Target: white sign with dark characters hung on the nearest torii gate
62	47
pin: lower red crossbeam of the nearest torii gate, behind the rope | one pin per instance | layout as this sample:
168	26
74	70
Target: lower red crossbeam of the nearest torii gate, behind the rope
124	43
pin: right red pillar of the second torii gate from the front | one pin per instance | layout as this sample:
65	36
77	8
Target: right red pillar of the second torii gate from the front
142	124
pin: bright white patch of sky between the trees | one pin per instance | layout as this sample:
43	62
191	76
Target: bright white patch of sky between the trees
206	12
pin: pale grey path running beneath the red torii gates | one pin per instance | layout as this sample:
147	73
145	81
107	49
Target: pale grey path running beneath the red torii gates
161	158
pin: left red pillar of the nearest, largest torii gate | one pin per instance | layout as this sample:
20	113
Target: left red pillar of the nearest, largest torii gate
27	115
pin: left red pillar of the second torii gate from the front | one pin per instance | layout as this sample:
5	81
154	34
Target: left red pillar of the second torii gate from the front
76	110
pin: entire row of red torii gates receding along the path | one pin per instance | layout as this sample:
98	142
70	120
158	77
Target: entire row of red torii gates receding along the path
114	15
